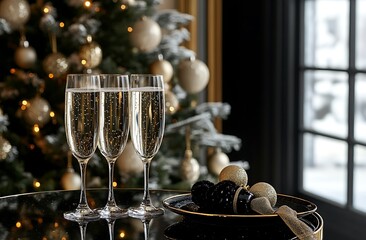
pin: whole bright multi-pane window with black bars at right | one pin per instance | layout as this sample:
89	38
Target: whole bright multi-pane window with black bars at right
333	129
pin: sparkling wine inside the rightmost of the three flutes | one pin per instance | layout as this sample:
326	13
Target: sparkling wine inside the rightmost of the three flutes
147	120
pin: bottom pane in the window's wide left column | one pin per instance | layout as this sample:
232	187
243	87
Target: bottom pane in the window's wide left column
325	167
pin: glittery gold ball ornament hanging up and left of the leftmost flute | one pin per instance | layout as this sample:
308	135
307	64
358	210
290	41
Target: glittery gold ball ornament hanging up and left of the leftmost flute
56	64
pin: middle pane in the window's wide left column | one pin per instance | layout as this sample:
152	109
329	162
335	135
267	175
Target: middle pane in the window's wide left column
326	102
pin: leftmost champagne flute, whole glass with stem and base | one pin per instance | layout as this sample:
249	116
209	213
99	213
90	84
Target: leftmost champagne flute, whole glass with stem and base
82	126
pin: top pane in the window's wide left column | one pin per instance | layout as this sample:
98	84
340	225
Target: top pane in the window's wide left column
326	33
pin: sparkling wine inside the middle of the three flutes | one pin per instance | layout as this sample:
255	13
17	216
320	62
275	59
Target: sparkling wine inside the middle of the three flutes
114	122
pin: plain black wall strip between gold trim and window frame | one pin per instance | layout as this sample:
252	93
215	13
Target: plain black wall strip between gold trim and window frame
242	76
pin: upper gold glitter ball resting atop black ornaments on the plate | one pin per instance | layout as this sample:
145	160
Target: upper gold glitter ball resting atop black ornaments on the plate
234	173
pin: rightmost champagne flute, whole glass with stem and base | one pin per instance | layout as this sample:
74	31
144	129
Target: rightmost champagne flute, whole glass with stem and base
147	123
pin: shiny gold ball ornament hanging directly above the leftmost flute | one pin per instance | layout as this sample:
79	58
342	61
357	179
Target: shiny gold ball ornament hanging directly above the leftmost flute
91	55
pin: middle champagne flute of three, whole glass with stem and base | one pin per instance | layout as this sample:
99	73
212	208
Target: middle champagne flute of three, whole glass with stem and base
114	130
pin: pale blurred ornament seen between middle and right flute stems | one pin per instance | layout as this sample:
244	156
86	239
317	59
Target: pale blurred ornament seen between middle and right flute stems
129	163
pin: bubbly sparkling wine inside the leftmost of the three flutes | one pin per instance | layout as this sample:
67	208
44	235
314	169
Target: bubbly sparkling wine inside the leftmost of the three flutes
81	117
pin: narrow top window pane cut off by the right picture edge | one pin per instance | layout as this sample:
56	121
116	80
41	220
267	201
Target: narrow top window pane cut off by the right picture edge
360	34
